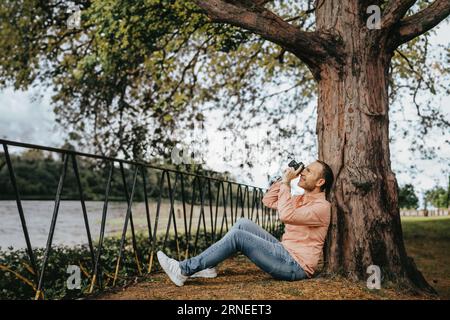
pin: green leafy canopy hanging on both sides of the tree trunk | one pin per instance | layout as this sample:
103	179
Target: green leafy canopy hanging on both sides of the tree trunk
136	74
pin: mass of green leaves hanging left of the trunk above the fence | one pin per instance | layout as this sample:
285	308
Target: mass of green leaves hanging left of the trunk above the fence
135	72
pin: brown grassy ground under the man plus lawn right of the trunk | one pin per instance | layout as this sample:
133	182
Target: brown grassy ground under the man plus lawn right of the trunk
427	240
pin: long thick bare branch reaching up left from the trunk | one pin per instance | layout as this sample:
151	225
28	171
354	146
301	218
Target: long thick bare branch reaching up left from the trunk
310	47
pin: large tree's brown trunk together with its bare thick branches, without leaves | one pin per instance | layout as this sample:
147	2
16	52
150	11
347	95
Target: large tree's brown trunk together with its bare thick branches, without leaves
351	64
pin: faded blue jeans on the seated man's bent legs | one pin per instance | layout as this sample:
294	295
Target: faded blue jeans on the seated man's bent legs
257	244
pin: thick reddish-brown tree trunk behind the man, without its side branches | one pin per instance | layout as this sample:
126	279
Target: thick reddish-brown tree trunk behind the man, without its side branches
353	138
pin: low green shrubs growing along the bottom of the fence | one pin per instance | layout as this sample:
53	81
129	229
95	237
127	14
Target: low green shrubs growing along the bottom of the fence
61	257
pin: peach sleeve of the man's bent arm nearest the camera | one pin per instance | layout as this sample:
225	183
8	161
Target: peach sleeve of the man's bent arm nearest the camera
314	216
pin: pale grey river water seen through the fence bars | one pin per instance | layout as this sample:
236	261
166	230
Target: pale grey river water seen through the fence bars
70	229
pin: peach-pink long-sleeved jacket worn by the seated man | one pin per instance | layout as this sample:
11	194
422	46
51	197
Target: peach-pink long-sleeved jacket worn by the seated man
306	218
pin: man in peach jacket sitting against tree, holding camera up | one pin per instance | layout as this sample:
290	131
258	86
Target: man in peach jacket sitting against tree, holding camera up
306	218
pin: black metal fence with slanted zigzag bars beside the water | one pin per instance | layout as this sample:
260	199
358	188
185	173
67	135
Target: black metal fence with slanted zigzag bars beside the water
234	199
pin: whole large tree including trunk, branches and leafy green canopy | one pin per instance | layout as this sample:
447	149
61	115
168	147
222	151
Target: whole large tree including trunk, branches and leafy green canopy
134	71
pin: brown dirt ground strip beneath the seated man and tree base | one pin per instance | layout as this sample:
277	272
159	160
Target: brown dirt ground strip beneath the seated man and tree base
238	278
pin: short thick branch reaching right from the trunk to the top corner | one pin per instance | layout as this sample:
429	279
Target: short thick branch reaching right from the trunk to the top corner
419	23
